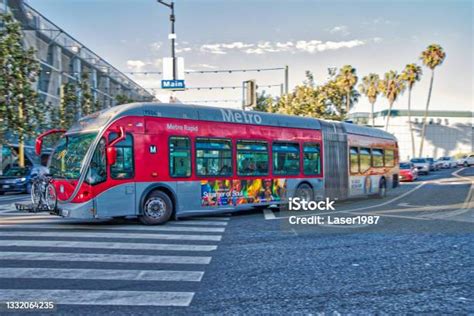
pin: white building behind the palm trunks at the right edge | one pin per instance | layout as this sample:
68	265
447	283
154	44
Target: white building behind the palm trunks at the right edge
448	132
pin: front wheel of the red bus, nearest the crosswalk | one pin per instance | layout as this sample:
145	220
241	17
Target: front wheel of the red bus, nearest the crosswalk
157	209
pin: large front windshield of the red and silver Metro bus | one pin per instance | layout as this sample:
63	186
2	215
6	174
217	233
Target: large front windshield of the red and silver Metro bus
68	156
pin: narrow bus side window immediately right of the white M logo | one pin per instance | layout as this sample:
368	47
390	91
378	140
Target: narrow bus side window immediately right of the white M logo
180	157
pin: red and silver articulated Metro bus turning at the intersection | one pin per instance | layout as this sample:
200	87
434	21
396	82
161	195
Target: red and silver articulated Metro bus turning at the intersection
160	161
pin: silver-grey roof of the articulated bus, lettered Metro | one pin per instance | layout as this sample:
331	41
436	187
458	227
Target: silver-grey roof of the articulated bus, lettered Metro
213	114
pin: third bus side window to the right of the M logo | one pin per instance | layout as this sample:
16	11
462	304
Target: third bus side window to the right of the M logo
252	158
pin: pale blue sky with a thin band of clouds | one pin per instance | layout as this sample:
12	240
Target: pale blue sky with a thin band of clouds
374	36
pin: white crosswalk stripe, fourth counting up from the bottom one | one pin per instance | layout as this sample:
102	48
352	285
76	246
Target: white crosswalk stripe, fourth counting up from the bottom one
104	245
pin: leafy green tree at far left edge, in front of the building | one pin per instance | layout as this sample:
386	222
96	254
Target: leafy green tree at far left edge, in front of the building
19	70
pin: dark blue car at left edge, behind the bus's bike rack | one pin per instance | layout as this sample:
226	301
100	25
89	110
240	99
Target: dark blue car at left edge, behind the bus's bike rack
18	180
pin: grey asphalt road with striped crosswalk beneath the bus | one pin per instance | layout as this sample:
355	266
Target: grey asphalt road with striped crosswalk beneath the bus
418	258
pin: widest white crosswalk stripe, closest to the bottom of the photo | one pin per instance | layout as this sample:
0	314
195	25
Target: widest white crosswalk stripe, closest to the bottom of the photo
93	297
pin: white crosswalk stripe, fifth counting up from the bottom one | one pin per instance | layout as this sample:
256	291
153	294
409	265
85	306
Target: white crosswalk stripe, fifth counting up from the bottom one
19	233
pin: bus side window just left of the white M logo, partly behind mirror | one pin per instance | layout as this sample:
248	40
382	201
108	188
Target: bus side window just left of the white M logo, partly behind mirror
123	167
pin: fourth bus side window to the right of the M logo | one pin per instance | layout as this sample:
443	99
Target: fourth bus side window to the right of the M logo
286	159
